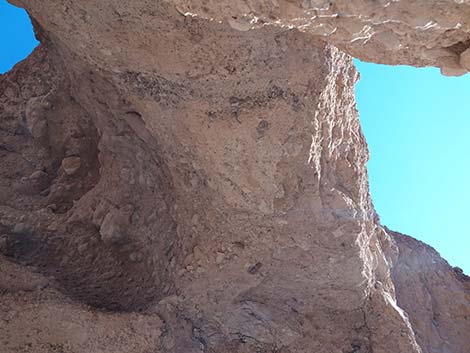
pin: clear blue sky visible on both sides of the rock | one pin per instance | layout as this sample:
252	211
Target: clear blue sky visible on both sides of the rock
417	125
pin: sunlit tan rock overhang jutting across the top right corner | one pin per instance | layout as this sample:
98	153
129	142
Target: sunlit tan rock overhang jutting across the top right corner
417	32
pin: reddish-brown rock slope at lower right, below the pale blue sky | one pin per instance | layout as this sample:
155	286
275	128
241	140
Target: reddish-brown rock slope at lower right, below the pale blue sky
434	294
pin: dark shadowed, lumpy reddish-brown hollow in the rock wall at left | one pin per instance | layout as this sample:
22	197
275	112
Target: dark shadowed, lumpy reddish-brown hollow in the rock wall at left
70	204
